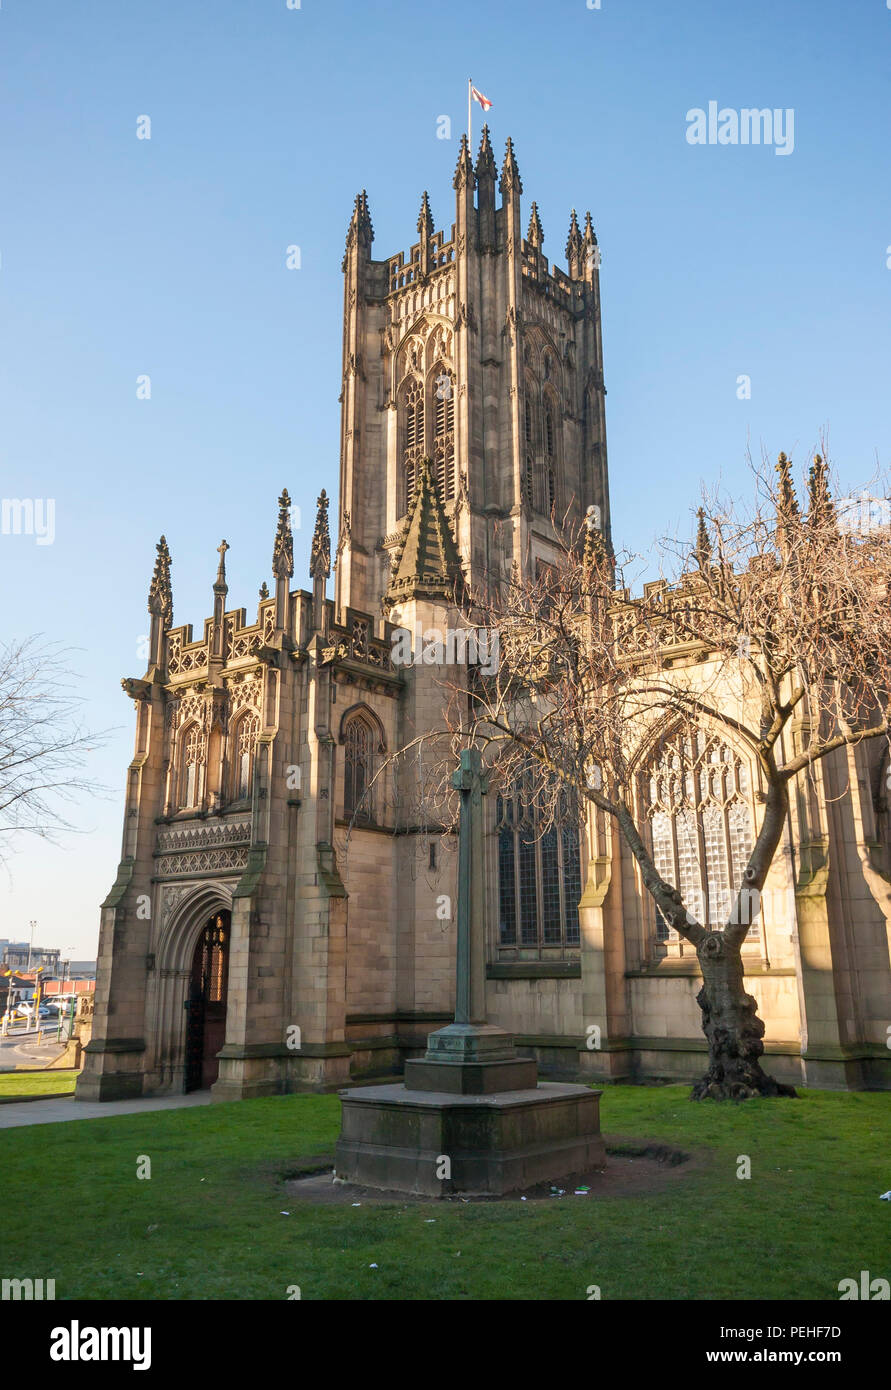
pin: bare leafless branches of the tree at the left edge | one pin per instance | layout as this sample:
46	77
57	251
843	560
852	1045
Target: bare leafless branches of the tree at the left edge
44	749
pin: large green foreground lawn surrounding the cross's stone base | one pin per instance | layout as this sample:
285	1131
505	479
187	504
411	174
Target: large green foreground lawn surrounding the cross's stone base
209	1225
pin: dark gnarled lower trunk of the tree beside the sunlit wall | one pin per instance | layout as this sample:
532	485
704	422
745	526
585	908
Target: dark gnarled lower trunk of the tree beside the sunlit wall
733	1028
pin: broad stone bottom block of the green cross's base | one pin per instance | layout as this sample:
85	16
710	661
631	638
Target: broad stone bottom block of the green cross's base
395	1139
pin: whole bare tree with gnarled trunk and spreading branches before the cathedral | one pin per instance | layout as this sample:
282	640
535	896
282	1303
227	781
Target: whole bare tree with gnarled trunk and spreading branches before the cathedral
775	629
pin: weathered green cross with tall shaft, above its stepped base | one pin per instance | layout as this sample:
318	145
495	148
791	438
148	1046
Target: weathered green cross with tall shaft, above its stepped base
471	996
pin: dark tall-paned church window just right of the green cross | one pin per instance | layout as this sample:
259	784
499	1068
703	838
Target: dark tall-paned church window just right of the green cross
539	875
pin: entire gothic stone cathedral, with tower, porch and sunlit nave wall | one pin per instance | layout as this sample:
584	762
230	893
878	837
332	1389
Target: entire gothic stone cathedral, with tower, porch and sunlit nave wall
277	918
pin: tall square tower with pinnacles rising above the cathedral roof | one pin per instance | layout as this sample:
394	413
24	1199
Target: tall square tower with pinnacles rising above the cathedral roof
475	352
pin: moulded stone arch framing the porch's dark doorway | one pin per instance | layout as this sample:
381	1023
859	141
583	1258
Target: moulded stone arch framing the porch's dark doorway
181	938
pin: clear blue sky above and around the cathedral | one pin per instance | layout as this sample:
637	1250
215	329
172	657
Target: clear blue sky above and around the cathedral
122	258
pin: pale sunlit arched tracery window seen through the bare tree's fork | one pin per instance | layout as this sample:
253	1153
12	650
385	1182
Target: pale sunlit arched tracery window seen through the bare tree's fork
697	801
